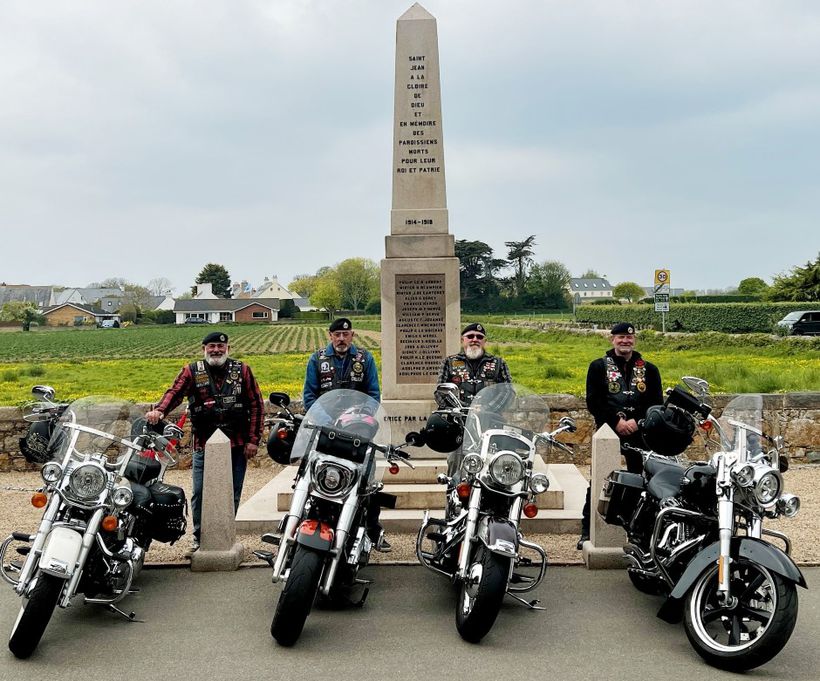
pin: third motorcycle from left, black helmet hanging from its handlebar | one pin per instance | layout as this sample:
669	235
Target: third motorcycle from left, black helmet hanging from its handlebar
479	544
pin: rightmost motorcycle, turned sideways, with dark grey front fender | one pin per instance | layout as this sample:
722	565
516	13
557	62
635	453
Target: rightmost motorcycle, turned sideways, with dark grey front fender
695	529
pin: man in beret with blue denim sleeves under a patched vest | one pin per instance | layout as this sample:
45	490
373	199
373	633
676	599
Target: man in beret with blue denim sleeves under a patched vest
340	365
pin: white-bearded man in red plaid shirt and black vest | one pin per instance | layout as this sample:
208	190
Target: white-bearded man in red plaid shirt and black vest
222	393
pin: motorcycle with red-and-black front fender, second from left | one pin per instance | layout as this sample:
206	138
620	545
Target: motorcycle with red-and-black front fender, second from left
331	527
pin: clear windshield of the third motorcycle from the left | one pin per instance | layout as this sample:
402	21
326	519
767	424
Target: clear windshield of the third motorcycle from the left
504	406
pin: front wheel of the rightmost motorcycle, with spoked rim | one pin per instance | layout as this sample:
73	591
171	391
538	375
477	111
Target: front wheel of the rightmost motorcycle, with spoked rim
749	634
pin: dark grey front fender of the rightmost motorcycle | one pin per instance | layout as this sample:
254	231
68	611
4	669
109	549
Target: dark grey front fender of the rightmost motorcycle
756	550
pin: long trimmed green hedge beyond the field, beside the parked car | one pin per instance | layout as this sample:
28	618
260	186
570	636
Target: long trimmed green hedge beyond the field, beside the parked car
694	317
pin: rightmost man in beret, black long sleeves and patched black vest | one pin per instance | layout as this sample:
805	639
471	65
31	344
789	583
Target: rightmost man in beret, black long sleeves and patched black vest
621	386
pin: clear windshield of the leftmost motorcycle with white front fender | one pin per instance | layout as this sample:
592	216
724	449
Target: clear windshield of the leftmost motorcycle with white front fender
97	426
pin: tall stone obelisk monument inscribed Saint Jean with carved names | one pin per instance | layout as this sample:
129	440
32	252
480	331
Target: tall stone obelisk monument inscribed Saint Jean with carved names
421	305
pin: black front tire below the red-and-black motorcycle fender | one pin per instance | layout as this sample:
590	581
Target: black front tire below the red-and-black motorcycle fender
298	594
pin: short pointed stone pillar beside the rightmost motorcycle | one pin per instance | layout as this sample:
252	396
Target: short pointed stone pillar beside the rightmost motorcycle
604	550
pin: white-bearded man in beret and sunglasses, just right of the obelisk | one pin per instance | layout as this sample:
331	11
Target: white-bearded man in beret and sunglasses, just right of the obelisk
471	370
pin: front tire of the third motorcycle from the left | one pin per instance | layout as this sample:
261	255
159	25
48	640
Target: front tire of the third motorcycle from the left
481	595
